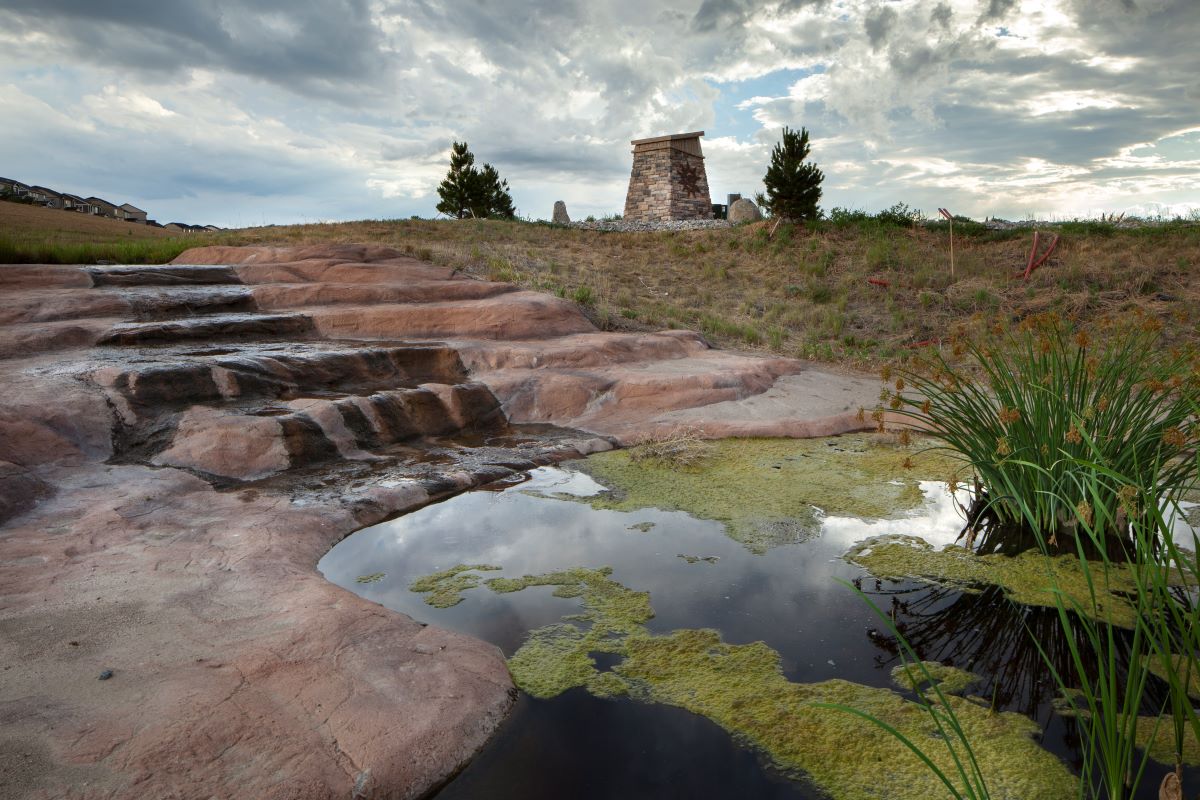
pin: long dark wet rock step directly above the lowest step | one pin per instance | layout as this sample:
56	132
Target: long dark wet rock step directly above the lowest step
280	375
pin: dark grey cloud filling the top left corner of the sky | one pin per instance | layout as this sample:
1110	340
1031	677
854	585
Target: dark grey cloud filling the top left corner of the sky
308	46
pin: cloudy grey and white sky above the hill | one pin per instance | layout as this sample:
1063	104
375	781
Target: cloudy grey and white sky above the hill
250	112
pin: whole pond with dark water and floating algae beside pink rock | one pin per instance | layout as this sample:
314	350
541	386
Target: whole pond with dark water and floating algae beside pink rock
665	695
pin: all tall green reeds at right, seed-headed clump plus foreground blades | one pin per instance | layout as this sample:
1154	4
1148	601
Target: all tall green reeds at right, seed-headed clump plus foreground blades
1101	443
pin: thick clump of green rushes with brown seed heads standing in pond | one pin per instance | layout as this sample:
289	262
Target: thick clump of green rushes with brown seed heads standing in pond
1042	414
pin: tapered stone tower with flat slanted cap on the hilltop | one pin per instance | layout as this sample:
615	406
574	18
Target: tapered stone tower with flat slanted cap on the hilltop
669	181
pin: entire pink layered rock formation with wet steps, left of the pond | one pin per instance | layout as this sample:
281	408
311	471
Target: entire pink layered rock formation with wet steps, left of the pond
181	444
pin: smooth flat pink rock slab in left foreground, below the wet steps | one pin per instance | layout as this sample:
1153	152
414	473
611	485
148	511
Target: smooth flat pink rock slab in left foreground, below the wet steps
238	672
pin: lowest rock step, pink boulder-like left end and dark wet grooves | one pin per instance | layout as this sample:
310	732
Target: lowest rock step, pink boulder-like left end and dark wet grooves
249	446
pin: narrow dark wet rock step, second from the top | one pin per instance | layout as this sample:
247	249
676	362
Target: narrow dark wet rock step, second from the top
223	328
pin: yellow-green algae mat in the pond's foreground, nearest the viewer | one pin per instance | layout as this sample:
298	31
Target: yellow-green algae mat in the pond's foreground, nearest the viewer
742	689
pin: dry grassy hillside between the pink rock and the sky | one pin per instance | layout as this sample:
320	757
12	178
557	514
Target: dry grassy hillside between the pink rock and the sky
803	293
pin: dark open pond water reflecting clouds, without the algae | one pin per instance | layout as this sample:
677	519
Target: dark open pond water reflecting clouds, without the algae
581	747
